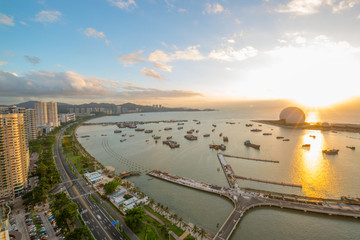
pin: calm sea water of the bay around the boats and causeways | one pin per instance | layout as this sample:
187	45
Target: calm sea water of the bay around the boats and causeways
320	175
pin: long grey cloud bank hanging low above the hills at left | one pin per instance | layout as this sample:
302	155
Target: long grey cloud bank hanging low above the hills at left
69	84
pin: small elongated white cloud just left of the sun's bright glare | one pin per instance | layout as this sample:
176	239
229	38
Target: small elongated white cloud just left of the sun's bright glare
231	54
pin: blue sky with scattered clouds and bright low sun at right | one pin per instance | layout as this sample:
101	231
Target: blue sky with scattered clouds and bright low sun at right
180	53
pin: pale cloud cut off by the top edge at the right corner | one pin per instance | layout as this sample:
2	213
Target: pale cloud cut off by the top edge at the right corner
306	7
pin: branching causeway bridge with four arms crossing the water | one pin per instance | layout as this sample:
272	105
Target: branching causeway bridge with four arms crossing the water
245	199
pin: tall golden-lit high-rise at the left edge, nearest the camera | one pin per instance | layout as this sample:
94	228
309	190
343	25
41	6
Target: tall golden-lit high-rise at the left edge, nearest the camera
14	155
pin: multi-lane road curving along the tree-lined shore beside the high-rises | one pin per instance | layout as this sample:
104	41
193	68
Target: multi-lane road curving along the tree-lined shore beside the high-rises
94	216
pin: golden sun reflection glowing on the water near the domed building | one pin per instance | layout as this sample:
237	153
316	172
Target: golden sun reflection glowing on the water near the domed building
315	173
